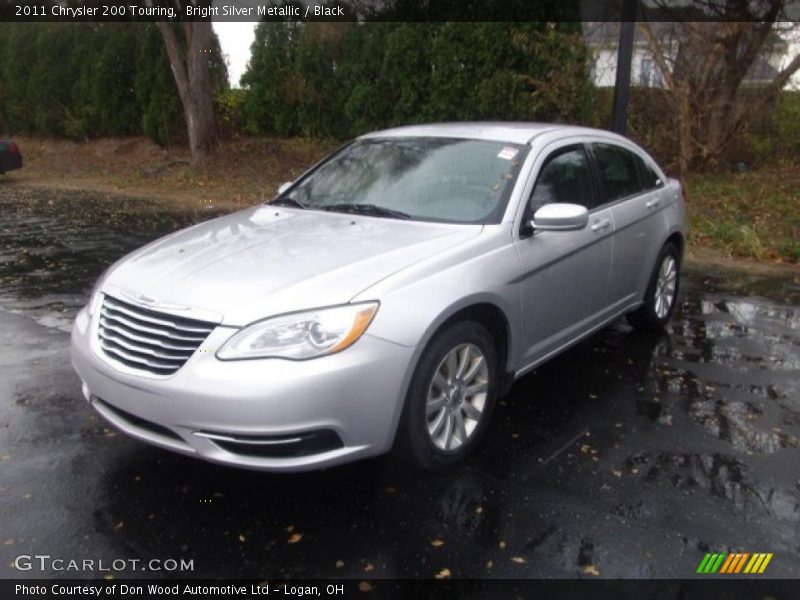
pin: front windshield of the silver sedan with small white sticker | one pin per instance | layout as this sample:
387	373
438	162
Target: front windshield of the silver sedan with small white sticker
420	178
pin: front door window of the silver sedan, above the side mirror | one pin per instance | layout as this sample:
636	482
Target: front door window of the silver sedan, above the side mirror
565	177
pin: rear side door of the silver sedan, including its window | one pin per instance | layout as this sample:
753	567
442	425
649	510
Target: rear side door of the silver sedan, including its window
632	190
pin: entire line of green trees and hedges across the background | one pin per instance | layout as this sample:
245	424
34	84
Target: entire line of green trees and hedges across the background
337	80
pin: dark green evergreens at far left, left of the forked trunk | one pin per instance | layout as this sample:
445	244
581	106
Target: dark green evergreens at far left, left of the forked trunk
83	80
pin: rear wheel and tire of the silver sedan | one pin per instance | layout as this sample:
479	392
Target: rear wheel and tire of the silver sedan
662	292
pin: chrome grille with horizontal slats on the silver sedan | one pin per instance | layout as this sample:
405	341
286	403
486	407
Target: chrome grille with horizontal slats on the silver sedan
147	340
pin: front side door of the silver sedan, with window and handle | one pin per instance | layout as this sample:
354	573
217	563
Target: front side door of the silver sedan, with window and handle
565	274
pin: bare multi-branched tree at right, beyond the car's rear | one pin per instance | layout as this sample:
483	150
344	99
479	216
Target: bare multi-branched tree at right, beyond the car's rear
719	74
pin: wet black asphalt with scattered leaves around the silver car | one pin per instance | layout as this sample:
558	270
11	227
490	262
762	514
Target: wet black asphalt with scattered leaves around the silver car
628	456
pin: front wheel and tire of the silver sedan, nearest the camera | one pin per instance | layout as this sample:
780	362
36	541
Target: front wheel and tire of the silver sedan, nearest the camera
442	423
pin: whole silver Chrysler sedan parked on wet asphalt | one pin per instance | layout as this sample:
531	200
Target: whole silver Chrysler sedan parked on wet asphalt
385	298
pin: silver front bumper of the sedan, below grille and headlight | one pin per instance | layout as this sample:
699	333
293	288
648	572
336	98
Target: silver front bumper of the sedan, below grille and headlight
266	414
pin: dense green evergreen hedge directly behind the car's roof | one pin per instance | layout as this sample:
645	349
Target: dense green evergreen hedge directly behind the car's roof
341	79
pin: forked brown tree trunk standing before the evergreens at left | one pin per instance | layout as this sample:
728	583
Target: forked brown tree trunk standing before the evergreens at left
189	63
